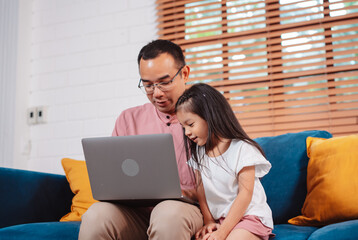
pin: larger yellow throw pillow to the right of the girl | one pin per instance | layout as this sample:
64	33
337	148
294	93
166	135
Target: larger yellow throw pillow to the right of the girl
332	181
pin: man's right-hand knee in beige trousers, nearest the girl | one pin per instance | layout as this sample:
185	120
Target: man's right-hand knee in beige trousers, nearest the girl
174	220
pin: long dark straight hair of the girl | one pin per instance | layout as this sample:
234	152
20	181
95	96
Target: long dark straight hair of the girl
211	105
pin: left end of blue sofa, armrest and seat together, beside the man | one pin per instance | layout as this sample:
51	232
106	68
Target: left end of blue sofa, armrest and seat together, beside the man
31	205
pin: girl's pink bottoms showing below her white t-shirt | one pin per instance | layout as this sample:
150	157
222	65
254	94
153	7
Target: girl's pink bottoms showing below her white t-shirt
253	224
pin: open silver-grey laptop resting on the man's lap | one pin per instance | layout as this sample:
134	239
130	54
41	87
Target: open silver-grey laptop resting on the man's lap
138	170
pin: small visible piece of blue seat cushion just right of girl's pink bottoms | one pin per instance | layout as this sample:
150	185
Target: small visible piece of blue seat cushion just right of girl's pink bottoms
292	232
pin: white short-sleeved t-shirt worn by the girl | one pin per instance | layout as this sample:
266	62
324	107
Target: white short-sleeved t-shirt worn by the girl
219	176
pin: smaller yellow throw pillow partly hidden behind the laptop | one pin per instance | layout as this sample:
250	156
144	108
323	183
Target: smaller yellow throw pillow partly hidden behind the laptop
77	177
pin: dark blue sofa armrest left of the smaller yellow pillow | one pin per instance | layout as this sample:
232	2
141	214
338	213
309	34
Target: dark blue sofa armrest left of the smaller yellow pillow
28	196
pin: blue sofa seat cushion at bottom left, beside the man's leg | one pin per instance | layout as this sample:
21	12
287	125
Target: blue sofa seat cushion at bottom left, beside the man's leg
43	231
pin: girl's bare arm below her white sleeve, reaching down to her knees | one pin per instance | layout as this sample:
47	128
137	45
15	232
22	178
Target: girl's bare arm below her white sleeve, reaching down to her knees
246	181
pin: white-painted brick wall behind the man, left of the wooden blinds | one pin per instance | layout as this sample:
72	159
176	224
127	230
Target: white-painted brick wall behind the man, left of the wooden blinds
82	66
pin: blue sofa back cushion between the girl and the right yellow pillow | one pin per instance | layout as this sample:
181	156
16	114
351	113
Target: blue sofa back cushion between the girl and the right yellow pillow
285	184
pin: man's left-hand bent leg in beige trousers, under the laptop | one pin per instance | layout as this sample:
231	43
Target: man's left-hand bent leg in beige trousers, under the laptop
111	221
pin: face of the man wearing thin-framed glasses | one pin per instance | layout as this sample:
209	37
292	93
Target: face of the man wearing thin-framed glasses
162	69
